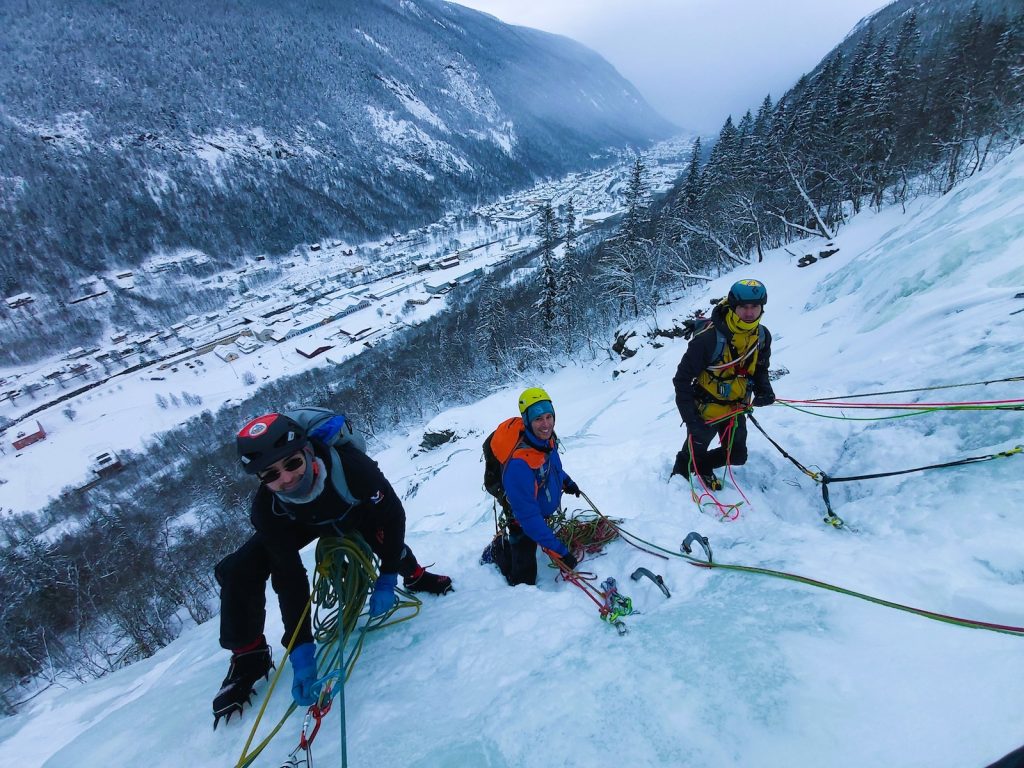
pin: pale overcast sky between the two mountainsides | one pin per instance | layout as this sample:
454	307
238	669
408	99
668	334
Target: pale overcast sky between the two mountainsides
698	61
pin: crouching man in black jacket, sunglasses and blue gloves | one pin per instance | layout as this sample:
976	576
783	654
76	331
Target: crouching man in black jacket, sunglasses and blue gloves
308	490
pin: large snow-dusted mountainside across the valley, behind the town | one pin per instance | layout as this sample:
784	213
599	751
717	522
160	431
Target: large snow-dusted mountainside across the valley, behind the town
132	131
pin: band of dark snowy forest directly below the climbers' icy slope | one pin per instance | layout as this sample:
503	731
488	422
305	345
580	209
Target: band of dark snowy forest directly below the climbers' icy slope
895	119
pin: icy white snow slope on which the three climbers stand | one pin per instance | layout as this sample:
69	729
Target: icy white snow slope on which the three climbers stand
735	669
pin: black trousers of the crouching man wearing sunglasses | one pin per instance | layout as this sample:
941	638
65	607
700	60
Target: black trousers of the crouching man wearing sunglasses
243	576
